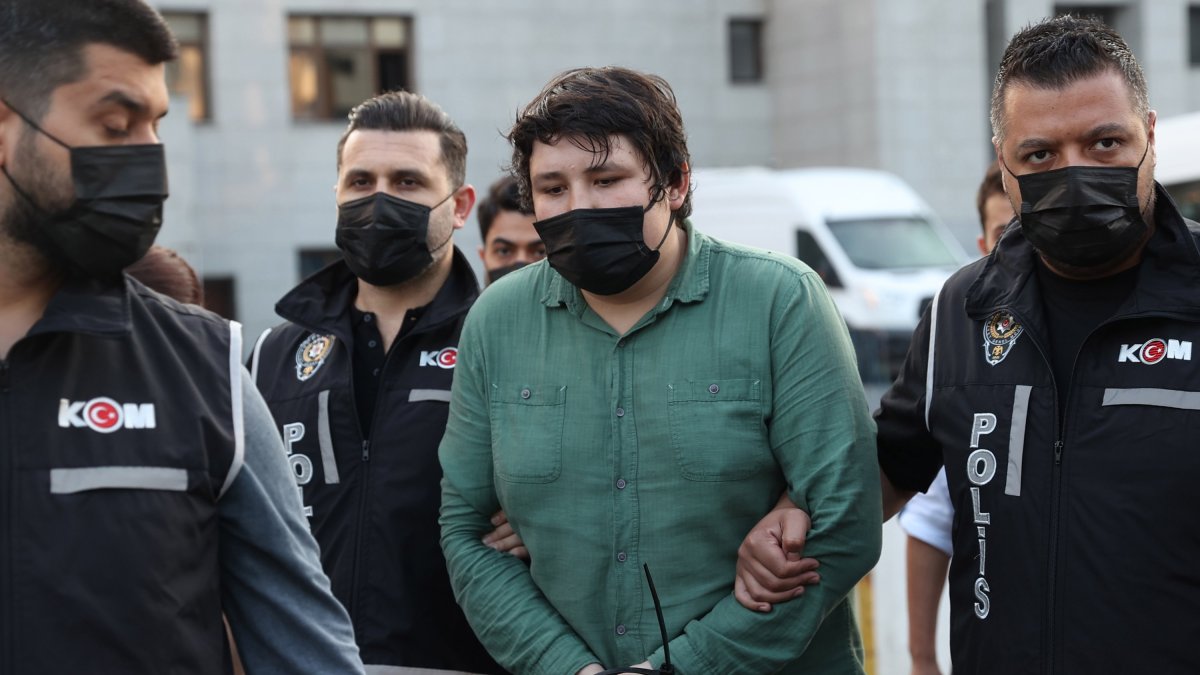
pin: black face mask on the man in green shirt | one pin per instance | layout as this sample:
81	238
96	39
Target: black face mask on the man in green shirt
601	250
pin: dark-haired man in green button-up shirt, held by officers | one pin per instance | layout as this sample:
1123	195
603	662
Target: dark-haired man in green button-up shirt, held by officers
645	398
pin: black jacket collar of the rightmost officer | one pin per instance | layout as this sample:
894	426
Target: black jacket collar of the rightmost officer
1168	277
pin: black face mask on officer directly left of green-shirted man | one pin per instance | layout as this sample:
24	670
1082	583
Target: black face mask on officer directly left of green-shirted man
385	240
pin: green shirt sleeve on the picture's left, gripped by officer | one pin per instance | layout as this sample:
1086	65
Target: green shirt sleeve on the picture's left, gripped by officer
514	622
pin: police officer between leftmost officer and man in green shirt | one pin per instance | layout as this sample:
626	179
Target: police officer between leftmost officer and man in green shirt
359	378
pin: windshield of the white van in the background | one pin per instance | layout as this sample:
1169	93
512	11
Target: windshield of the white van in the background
895	243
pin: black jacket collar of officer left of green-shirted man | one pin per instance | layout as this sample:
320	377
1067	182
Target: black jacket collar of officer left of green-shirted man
323	302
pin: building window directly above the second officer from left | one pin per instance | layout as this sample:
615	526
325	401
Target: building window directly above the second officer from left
337	63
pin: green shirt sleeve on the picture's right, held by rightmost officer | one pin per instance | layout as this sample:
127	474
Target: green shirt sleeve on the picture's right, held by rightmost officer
823	437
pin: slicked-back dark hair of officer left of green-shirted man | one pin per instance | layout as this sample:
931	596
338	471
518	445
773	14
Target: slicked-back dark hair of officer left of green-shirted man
405	111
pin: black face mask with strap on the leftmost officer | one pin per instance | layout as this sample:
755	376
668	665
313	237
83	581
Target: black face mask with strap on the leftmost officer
116	214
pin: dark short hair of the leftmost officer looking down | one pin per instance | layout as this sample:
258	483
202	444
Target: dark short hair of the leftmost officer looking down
43	41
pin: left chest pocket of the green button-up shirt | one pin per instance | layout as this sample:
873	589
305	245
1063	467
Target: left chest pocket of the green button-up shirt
527	432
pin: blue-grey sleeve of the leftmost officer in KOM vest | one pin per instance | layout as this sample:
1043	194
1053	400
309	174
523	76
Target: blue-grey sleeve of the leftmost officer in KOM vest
277	598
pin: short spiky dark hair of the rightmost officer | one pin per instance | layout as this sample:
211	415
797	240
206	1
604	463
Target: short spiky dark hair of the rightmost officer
1059	52
